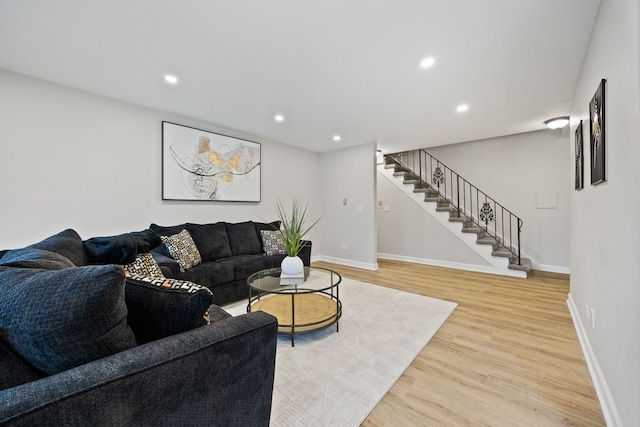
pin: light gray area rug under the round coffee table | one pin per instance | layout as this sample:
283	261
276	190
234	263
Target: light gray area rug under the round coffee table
336	379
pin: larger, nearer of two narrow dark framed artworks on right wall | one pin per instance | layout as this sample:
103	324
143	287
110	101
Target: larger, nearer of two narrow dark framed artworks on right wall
597	134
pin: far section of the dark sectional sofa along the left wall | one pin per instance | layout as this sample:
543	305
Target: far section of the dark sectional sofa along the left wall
230	253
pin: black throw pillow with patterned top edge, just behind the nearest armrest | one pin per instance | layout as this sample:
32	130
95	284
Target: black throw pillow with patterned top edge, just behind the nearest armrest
160	307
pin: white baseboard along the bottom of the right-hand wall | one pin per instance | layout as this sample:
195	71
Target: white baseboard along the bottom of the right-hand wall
611	415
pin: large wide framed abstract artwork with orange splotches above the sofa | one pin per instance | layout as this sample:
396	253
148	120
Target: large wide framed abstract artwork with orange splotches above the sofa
202	165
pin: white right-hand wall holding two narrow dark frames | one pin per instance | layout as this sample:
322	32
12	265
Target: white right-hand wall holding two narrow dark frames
605	244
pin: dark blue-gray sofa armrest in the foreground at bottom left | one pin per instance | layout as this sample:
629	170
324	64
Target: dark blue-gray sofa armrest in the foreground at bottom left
215	375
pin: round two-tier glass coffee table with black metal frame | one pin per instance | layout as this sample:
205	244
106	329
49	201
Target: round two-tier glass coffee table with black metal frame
301	305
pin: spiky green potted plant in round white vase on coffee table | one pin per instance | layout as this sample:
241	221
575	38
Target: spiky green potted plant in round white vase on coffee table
294	226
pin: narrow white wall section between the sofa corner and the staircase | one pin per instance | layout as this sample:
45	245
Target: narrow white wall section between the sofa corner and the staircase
350	174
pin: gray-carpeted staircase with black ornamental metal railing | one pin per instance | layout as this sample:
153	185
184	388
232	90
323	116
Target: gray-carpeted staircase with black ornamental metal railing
487	227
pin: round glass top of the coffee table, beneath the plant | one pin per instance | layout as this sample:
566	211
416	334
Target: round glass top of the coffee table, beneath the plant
315	279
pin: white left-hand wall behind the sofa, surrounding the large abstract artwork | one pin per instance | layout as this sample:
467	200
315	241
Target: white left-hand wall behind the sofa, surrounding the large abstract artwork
71	159
